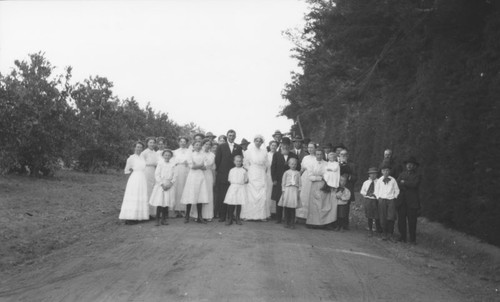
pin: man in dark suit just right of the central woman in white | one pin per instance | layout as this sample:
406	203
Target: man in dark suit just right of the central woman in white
279	165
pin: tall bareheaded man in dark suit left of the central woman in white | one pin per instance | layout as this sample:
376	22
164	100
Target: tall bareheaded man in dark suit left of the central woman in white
224	161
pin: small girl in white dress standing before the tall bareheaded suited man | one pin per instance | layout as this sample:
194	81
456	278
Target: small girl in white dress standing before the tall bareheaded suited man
237	193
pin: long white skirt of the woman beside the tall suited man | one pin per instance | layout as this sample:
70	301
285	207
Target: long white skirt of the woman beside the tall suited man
255	207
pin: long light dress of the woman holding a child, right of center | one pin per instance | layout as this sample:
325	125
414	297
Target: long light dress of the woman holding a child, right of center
322	207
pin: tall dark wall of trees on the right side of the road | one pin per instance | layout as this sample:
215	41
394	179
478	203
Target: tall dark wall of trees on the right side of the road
419	77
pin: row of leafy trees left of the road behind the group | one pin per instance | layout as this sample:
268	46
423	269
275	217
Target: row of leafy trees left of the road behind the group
47	122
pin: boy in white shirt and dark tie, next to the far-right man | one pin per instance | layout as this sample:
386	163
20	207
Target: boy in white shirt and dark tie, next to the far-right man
387	191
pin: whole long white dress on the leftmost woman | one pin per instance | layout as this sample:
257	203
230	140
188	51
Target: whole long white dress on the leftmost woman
135	201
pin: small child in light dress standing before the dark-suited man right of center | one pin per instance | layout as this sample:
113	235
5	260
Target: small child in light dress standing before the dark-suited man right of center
290	199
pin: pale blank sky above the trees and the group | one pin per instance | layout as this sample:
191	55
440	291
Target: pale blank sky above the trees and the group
218	63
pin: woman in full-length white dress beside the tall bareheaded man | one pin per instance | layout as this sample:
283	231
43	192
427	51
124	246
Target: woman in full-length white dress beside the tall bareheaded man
255	161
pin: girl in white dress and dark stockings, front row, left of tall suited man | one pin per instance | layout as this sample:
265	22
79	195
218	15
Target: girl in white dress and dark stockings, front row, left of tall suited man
196	189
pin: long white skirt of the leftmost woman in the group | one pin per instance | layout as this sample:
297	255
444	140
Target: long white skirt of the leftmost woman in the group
135	200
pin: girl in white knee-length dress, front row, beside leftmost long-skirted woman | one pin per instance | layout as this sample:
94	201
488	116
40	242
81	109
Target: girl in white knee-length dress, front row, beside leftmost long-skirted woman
163	195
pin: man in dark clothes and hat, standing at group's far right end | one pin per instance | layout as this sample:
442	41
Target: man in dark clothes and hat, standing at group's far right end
408	204
